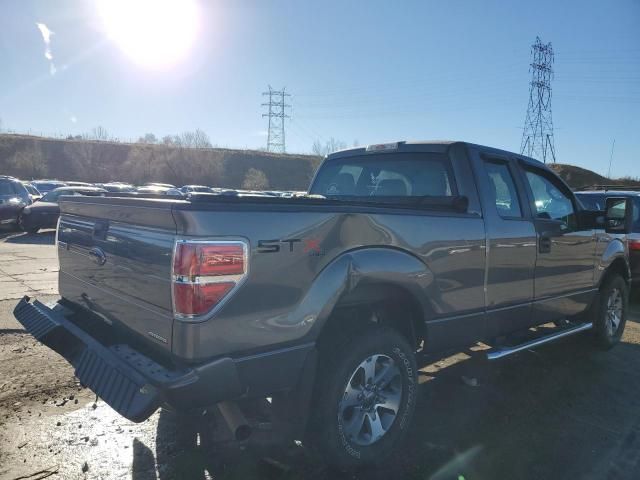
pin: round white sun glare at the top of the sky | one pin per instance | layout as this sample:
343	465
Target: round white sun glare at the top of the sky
153	33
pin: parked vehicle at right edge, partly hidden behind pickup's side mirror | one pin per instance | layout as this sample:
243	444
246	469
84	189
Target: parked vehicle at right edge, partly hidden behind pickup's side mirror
595	198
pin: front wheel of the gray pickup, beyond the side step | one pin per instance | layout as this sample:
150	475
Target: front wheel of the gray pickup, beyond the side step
611	312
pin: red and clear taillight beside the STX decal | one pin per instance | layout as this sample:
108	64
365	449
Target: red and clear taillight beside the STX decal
205	273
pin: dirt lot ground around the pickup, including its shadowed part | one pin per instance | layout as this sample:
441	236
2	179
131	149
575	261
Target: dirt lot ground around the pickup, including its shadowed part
565	410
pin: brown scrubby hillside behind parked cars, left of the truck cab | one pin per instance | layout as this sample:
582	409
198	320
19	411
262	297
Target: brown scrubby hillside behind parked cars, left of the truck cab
102	161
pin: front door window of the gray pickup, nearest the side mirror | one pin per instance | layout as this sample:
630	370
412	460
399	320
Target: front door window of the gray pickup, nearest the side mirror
550	201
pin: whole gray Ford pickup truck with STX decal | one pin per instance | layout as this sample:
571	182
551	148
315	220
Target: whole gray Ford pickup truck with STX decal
327	304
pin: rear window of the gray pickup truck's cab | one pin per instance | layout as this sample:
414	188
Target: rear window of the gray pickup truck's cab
397	175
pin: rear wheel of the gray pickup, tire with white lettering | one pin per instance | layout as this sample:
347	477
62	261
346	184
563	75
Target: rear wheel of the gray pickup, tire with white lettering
343	424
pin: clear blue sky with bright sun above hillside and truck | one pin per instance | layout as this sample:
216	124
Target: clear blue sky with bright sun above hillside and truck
358	71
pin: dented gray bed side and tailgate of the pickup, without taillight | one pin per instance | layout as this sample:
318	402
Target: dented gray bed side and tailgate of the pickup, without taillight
278	303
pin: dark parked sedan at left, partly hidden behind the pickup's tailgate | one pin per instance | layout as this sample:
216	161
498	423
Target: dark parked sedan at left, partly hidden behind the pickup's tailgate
45	213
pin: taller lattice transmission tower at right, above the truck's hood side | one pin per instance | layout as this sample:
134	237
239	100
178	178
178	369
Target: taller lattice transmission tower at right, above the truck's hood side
537	137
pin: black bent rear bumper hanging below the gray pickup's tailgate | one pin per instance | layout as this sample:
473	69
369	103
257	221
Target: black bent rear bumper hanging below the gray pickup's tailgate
131	383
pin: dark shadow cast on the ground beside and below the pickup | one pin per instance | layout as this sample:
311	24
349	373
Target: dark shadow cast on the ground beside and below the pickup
539	414
